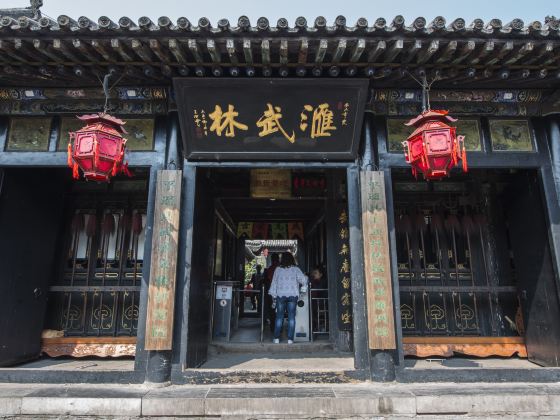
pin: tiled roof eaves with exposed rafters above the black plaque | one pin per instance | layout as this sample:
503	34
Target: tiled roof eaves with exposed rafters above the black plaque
78	52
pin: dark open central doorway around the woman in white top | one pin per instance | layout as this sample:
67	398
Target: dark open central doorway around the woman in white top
255	215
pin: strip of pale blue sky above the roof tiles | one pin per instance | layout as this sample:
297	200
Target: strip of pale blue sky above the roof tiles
506	10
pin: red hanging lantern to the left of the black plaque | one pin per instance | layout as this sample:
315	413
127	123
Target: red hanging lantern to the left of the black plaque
98	148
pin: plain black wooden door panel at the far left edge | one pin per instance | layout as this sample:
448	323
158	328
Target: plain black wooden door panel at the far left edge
31	212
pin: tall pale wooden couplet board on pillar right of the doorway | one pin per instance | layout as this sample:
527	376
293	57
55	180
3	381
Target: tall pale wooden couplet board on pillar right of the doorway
379	294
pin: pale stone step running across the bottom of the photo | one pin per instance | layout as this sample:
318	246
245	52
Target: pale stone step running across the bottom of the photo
362	401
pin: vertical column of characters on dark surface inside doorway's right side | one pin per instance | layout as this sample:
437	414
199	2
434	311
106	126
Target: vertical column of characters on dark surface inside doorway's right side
344	294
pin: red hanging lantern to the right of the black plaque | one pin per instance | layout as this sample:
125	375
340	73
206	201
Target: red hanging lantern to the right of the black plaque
434	148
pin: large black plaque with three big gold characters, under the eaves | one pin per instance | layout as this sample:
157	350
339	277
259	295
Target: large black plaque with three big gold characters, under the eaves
272	119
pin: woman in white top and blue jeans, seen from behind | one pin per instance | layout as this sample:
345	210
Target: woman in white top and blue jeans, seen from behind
284	289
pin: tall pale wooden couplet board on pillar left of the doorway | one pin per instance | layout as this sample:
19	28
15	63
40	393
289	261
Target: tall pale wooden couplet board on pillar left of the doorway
163	268
